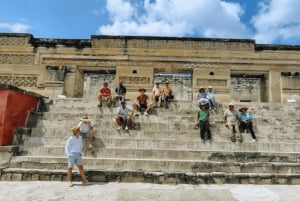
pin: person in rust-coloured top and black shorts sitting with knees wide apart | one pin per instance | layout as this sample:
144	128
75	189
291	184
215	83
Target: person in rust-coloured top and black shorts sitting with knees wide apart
142	102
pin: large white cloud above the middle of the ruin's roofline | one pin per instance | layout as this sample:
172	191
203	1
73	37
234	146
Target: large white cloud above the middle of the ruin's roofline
209	18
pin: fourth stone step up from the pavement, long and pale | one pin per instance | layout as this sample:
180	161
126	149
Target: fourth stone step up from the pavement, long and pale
126	143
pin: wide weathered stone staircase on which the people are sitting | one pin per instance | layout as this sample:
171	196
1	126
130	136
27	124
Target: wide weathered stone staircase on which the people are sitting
163	147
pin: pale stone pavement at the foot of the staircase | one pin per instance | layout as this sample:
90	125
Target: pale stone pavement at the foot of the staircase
60	191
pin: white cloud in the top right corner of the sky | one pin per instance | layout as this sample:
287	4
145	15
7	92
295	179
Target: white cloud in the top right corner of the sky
277	21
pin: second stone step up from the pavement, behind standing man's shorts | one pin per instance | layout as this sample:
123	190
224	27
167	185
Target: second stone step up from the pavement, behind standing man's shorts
158	165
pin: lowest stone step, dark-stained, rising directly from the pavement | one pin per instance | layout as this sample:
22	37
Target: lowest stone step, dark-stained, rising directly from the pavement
18	174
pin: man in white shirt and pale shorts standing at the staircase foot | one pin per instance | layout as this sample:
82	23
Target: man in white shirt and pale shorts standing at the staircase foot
73	150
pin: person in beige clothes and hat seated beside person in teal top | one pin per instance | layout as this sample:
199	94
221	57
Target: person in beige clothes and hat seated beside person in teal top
231	120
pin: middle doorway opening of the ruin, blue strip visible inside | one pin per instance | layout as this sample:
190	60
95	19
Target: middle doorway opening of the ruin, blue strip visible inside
180	81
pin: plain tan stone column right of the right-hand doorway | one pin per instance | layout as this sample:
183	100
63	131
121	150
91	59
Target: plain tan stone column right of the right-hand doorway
275	87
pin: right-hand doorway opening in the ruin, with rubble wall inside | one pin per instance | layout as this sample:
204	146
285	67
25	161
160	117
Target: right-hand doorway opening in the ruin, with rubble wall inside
248	87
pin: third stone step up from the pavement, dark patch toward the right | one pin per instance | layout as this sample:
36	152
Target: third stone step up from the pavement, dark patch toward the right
175	154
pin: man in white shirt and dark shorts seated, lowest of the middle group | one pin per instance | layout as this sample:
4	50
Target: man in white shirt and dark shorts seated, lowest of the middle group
124	115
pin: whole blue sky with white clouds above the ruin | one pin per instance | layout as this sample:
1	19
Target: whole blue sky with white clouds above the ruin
266	21
